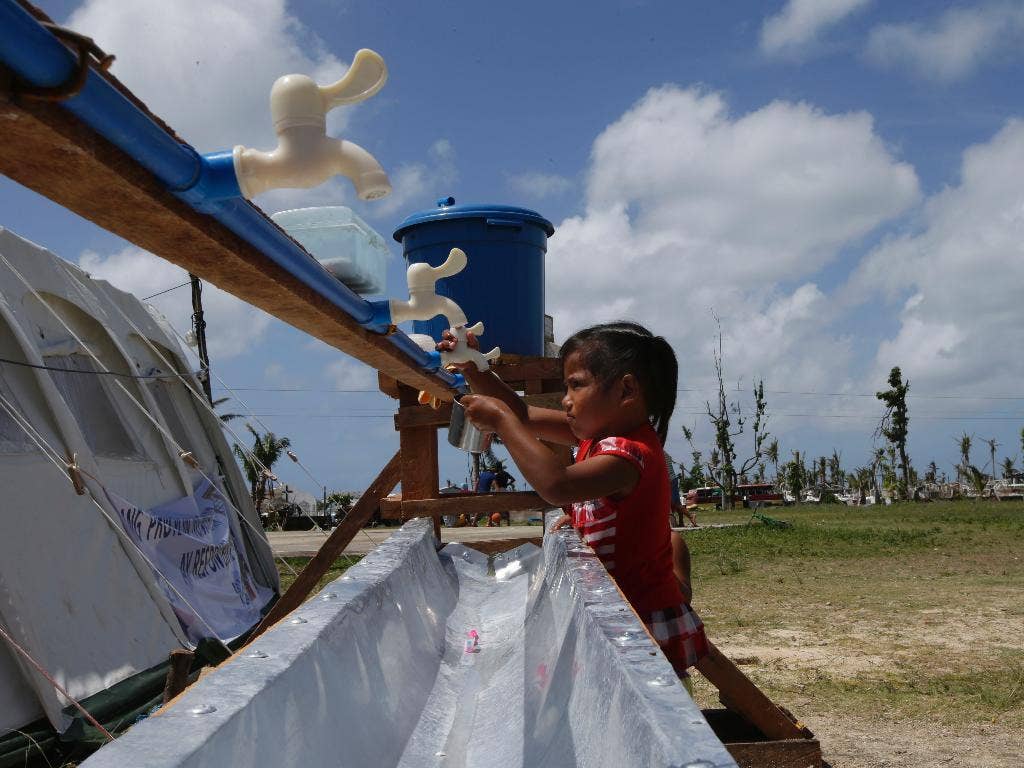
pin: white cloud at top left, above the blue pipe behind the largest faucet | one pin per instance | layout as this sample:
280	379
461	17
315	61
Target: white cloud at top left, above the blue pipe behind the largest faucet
207	66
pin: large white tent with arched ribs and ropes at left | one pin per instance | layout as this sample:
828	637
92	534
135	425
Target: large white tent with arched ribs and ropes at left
88	372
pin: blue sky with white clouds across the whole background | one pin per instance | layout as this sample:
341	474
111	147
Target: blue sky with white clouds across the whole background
835	180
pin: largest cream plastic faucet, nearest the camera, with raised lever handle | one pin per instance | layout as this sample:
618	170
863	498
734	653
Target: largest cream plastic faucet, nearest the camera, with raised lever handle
306	156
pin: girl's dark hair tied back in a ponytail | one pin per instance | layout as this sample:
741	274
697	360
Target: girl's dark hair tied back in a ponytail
614	350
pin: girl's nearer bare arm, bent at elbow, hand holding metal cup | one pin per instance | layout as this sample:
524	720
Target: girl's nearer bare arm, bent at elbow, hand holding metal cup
557	484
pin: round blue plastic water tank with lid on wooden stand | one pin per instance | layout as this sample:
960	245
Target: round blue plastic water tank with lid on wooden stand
503	284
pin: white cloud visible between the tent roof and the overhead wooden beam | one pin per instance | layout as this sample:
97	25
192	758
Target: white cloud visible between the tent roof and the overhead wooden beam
233	326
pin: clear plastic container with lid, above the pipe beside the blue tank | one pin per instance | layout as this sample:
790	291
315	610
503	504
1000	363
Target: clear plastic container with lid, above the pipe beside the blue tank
345	244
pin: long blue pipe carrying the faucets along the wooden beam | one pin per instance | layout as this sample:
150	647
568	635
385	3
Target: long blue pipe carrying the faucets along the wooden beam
208	185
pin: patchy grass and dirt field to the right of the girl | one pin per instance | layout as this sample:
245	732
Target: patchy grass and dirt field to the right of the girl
915	658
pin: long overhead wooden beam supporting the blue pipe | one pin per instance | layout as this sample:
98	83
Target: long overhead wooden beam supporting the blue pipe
48	150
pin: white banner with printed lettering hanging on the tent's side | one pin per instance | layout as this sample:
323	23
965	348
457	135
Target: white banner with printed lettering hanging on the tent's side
193	545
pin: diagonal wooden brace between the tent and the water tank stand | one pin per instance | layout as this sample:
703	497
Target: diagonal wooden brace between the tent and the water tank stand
340	538
